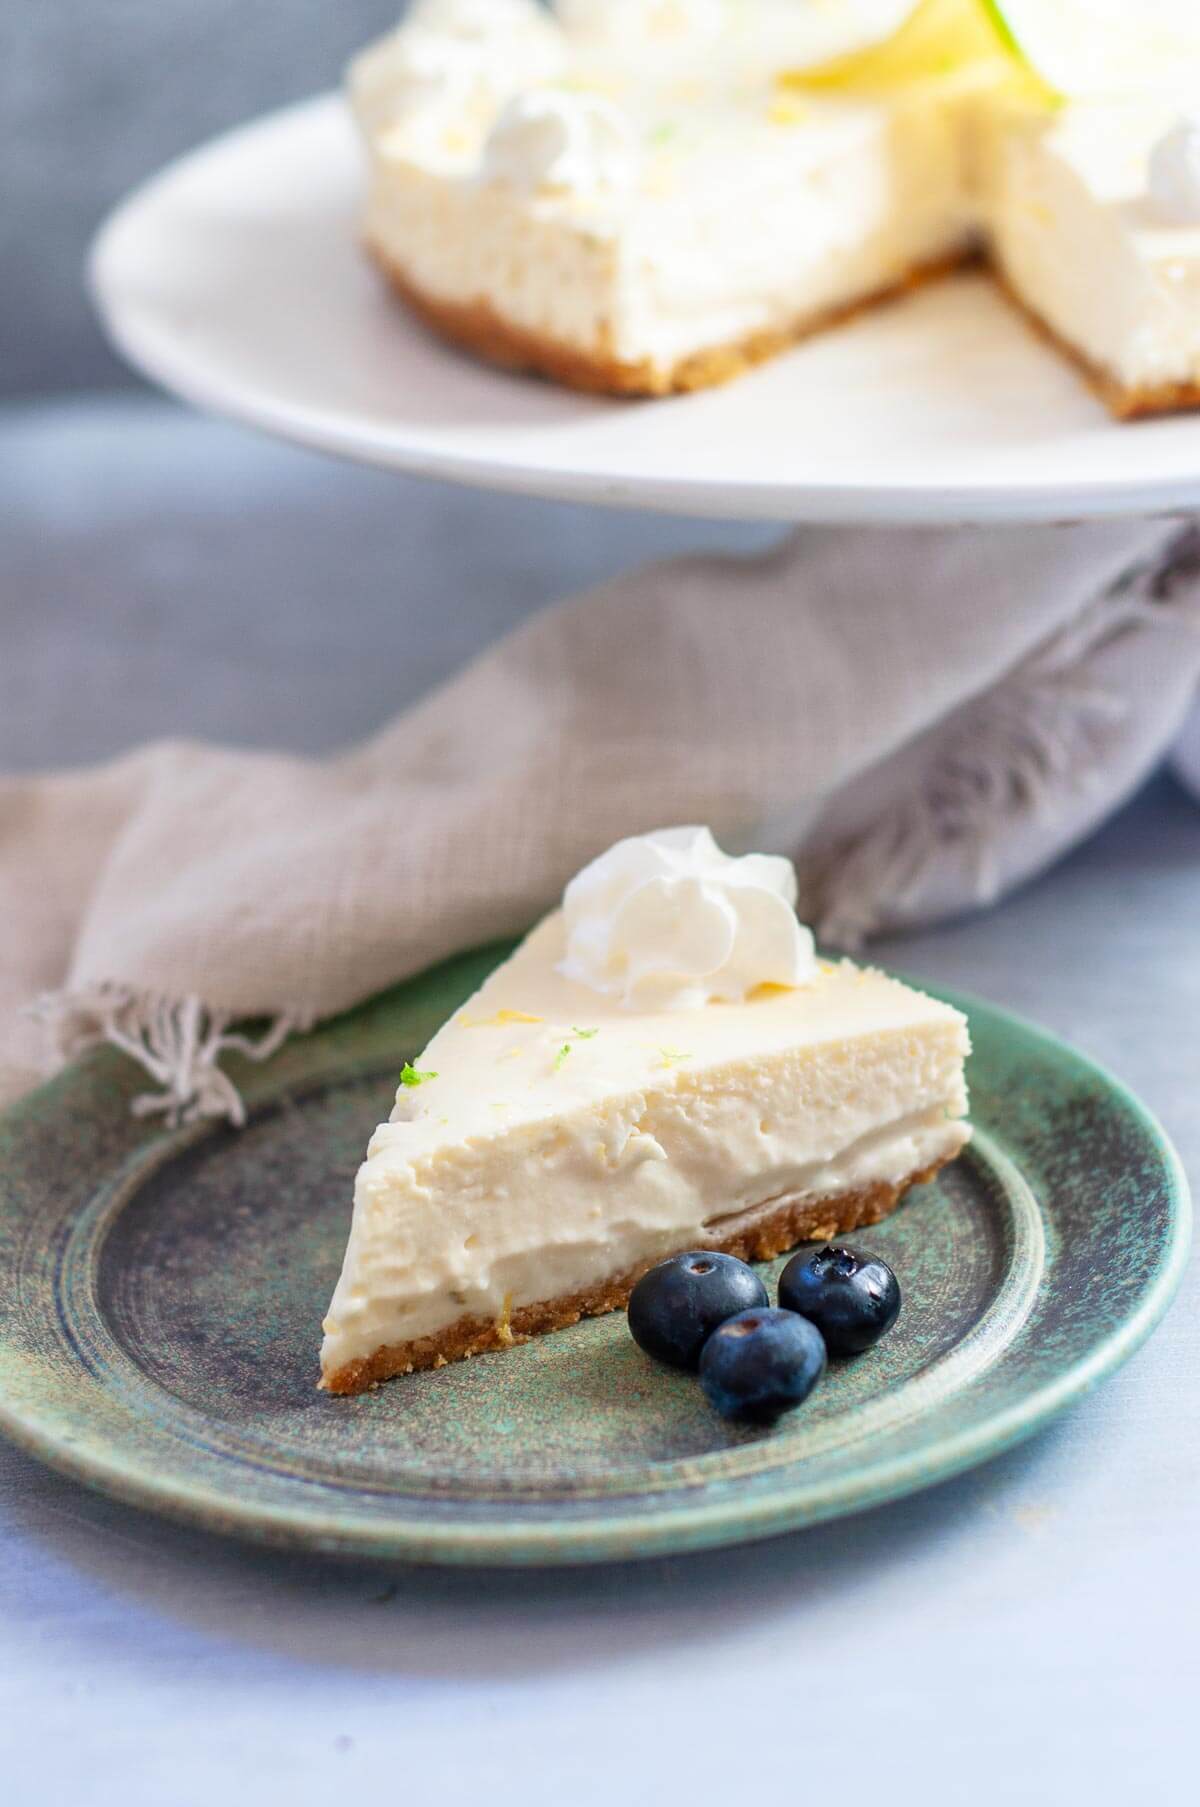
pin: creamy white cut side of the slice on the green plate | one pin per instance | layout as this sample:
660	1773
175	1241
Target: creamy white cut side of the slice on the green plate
547	1208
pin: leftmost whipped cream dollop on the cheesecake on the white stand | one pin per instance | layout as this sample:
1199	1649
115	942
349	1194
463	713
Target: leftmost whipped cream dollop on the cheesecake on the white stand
453	57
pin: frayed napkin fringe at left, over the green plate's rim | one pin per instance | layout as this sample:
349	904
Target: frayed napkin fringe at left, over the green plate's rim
178	1042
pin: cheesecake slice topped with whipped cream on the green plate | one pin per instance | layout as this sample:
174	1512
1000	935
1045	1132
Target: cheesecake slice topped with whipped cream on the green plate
592	1112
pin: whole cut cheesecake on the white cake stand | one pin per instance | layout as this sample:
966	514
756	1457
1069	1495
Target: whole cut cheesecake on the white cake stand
639	196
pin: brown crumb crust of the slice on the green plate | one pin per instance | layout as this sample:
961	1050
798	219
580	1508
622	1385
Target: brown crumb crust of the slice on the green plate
794	1221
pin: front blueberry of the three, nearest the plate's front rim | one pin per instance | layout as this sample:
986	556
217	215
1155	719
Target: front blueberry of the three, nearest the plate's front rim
762	1363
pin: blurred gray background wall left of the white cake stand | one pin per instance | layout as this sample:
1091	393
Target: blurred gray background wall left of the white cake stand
97	95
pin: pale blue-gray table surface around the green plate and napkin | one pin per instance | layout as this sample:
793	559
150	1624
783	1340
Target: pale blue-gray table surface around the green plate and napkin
1024	1634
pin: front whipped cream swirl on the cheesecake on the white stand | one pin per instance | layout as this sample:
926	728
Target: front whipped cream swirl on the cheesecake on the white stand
556	142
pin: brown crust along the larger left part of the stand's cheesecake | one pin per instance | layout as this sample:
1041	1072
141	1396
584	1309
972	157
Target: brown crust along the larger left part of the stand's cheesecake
482	330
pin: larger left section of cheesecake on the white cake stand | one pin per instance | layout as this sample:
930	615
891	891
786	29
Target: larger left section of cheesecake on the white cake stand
646	223
